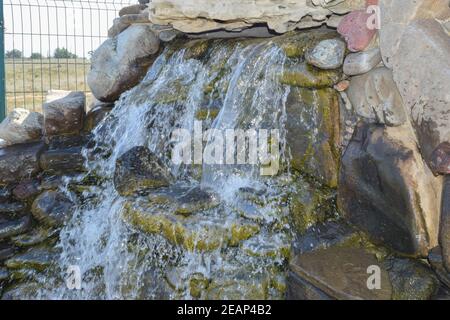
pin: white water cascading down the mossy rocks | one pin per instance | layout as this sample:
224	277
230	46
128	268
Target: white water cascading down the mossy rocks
119	259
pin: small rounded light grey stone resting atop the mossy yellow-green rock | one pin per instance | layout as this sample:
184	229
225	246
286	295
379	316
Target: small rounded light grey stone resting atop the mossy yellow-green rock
327	54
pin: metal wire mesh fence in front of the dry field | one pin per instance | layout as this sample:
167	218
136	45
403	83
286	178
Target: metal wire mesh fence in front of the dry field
47	46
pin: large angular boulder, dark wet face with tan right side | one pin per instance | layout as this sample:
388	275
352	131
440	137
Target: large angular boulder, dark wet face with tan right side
387	190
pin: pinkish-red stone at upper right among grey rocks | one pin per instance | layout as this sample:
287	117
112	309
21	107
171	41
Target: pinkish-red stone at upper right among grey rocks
353	29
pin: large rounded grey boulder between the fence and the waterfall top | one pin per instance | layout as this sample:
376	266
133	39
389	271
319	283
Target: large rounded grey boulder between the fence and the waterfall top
115	68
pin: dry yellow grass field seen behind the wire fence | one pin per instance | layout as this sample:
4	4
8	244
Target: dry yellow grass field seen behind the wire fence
28	80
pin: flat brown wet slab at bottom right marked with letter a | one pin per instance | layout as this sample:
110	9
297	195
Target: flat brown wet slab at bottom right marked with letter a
340	273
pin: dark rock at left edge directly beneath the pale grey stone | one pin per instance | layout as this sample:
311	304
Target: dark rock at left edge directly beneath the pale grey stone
19	162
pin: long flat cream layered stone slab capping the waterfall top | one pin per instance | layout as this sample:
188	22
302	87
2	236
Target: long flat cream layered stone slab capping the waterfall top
195	16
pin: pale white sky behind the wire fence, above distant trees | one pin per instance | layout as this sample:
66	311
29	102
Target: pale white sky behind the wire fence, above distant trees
41	26
